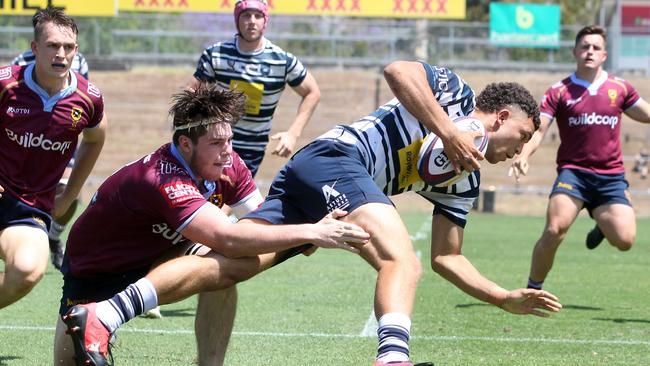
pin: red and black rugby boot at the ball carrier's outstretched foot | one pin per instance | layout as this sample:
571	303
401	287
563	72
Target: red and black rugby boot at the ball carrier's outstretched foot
89	336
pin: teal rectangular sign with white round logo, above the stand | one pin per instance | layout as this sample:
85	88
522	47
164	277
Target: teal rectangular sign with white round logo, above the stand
525	25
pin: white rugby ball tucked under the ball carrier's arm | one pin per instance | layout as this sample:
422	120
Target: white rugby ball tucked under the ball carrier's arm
434	167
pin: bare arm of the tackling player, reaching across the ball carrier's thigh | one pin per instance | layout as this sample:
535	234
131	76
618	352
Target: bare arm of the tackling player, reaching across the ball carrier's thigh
211	227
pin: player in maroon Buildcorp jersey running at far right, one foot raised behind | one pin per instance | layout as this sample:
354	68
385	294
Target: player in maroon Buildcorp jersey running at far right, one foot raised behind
588	107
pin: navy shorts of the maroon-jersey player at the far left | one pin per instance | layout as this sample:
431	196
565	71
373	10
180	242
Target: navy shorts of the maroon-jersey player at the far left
14	212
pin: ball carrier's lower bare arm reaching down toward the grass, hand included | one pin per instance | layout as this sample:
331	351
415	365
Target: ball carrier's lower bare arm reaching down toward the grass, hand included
448	261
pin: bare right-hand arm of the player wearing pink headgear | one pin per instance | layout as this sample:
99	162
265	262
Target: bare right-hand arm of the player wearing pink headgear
310	94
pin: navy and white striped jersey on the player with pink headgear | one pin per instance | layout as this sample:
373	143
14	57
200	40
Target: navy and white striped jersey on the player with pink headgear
260	75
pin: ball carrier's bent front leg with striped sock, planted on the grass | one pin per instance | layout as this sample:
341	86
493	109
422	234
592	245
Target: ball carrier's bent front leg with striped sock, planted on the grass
391	253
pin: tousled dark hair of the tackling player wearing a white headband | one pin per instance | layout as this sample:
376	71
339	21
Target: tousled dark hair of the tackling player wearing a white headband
194	110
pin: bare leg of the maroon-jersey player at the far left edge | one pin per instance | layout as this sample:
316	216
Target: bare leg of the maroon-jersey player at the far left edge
24	250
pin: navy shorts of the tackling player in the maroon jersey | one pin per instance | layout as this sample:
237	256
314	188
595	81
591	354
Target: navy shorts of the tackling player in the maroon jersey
83	290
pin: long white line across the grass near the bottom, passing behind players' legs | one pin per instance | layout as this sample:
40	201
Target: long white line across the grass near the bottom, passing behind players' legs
334	335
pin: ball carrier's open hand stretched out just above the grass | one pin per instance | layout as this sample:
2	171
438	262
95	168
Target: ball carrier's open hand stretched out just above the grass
530	301
